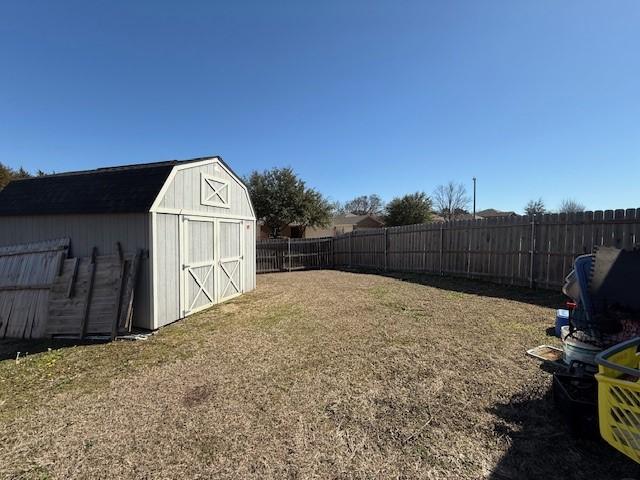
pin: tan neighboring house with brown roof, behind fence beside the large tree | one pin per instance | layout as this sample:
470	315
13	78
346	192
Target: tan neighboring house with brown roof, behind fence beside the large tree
339	224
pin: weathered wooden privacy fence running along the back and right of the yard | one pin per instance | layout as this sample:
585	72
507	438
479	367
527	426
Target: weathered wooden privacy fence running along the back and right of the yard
528	251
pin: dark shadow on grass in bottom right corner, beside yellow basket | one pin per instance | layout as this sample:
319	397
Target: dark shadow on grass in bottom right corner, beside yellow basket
543	445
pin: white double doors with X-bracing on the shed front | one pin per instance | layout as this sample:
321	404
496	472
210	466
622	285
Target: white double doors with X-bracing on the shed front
211	261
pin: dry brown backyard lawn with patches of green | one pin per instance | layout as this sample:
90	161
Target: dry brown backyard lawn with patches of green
314	375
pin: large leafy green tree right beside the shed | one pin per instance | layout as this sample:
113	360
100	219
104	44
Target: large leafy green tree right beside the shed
281	198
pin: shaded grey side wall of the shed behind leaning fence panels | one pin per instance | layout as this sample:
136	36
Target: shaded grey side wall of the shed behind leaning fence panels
86	232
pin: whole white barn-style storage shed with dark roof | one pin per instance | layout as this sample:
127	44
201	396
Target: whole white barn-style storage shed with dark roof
193	217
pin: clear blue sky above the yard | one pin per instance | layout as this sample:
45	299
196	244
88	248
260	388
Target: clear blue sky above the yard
535	98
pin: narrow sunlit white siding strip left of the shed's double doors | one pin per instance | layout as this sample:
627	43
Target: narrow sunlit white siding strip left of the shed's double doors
168	269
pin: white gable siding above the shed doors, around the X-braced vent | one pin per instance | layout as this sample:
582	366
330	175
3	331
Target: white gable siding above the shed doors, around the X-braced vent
183	193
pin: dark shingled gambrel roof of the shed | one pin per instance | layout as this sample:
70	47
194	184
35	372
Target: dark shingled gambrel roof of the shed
123	189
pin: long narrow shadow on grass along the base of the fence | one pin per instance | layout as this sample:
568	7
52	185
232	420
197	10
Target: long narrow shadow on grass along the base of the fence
544	298
